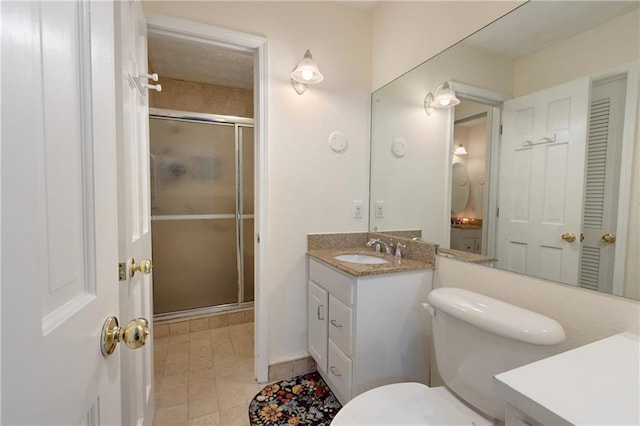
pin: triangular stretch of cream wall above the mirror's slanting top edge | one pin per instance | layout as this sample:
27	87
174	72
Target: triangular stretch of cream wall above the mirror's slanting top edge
405	34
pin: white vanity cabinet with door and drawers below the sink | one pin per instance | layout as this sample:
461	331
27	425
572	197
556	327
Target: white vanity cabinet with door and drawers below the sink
367	328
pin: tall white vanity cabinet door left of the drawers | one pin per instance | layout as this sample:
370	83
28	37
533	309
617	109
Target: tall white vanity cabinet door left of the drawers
318	309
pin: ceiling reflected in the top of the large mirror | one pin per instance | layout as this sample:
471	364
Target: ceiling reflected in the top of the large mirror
540	24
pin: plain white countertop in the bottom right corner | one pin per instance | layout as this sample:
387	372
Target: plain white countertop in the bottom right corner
595	384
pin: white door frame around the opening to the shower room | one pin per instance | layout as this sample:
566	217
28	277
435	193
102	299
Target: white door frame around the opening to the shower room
208	34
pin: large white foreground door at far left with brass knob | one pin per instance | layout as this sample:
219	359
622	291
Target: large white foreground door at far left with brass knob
59	214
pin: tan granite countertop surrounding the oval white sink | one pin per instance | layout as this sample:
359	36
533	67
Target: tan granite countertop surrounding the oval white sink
326	255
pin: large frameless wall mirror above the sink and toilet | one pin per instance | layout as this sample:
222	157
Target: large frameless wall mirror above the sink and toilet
546	133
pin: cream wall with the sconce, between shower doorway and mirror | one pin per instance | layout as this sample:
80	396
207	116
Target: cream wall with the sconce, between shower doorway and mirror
310	188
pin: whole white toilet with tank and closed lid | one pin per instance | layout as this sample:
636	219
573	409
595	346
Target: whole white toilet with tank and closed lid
475	337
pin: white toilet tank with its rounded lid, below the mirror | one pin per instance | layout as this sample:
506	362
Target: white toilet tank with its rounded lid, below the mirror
476	337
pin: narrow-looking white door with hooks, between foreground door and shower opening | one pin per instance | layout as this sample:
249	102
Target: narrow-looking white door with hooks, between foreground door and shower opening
134	201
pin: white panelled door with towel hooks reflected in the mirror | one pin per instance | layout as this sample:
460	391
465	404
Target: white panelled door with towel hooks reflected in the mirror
541	182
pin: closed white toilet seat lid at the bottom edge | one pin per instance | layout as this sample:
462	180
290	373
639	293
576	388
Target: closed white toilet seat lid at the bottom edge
407	404
